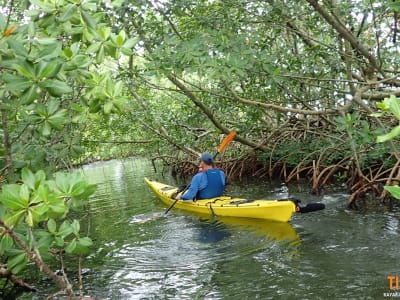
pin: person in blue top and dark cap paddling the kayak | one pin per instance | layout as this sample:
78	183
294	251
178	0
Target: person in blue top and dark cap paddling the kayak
208	183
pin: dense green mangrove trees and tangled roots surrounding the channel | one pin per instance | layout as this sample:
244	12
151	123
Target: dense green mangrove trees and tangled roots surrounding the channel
300	81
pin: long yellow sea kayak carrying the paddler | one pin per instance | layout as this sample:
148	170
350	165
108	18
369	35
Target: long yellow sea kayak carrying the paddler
226	206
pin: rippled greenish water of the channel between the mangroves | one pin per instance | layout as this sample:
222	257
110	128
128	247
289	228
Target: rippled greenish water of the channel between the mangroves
329	254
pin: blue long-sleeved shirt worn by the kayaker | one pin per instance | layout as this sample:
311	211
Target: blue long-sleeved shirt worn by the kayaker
206	185
